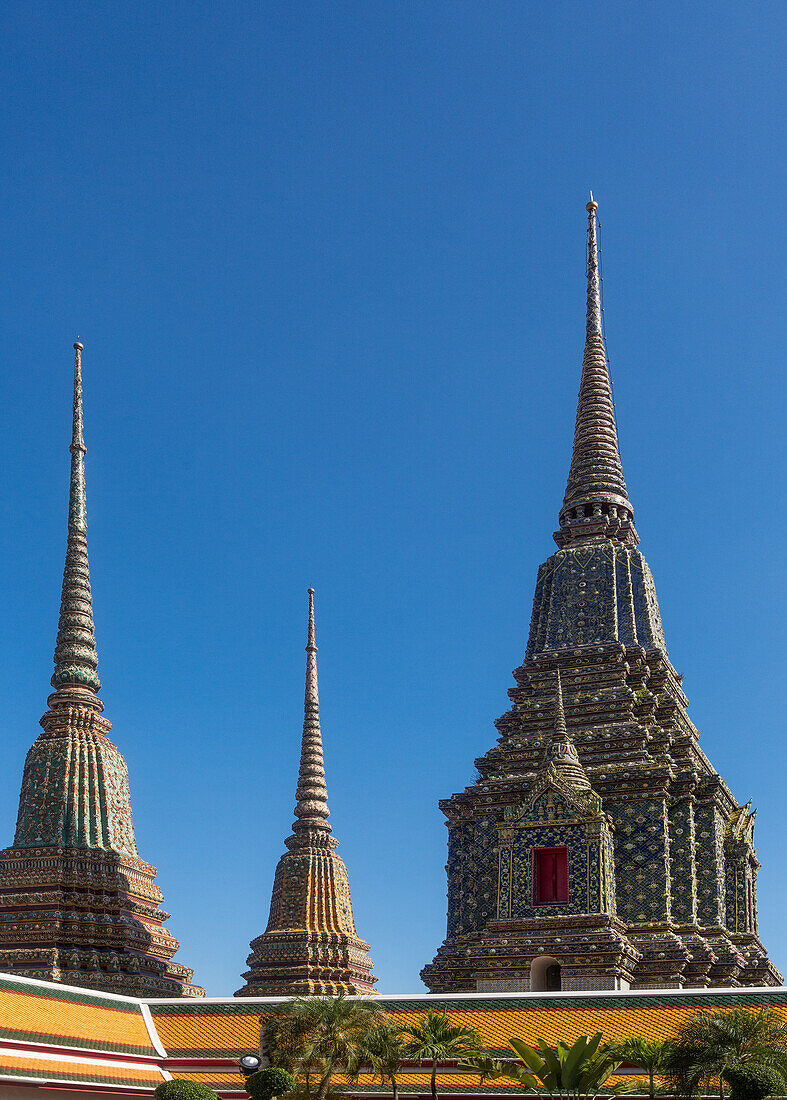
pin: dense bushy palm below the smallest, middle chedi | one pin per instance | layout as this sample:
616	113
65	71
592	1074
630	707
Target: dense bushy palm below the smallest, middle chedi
319	1036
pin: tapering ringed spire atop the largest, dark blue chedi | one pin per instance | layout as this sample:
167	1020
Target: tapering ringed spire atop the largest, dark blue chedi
597	501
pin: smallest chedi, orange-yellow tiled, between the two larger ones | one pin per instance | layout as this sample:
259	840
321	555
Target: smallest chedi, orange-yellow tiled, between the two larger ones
311	945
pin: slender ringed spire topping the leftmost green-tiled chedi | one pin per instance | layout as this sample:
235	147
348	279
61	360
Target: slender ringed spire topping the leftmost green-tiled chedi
76	659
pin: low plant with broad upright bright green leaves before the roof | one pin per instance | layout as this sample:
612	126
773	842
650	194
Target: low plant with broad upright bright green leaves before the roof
581	1071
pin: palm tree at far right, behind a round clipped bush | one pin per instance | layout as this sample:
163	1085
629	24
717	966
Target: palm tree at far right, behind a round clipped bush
714	1042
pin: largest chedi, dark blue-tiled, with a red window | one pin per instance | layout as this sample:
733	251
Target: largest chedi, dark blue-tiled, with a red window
599	849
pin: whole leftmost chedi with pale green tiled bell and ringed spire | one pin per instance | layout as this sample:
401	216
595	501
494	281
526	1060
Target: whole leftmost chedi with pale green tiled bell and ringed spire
78	905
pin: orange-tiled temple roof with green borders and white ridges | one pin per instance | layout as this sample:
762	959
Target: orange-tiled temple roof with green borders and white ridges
58	1036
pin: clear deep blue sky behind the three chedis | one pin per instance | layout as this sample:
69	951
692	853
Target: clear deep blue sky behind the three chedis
327	262
